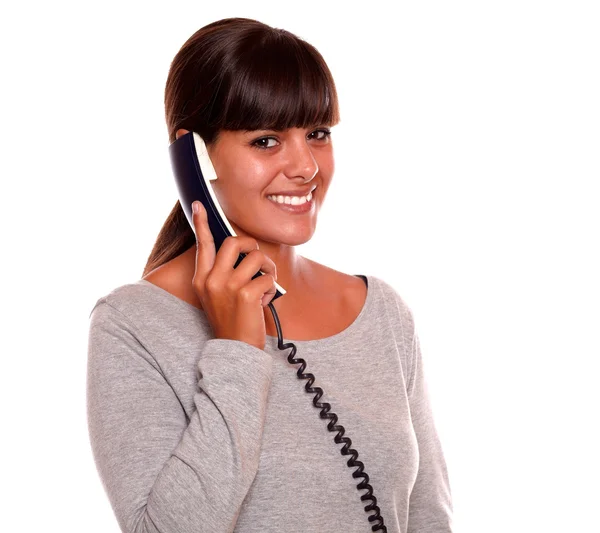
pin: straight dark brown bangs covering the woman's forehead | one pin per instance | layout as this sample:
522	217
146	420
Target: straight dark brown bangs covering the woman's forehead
279	83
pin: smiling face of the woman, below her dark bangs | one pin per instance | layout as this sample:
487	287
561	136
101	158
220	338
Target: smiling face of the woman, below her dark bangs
253	165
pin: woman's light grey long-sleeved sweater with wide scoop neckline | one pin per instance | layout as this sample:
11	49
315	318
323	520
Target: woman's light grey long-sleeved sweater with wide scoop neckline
192	434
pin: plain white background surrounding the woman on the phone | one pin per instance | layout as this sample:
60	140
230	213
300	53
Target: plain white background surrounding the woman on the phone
467	177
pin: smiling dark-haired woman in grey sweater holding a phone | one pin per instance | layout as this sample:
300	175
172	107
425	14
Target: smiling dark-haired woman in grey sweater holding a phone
197	420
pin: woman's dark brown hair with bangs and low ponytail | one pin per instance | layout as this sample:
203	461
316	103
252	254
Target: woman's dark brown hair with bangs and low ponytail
240	74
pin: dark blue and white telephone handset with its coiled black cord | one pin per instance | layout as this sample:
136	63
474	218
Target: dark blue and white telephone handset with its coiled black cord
194	172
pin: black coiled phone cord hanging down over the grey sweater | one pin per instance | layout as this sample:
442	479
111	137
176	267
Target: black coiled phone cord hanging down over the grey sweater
325	407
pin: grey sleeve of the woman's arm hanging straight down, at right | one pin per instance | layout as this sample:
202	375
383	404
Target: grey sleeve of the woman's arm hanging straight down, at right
430	507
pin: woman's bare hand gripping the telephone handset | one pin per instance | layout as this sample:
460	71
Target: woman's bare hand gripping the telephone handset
232	300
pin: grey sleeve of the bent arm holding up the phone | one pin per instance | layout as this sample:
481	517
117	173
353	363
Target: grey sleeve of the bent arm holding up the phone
162	472
